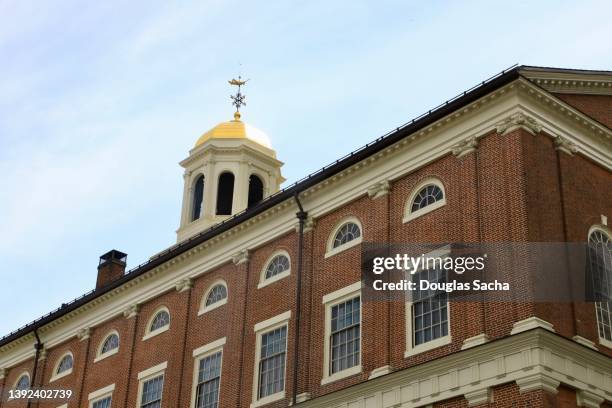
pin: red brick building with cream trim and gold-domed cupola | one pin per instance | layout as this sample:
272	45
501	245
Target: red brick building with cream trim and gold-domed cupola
259	302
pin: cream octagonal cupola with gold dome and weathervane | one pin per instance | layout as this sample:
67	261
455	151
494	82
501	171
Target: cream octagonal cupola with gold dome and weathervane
231	167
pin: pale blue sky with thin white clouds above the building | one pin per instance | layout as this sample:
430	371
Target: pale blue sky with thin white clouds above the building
99	101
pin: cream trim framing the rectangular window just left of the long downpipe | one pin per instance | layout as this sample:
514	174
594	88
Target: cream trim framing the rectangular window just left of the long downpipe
260	329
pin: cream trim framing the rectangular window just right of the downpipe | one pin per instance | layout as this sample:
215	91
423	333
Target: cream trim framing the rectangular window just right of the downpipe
330	300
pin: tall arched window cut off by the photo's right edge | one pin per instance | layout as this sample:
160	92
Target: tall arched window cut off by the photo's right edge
600	264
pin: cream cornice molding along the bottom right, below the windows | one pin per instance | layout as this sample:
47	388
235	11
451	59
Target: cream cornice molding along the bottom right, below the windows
535	360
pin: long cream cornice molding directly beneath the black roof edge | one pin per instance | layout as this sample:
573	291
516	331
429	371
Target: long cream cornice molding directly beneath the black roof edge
478	119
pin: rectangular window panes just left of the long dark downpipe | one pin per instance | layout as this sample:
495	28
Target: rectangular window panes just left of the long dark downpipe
272	362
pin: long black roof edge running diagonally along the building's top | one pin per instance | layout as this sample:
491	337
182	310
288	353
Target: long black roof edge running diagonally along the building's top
427	118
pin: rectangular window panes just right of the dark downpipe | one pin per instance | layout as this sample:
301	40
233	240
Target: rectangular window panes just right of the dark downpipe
345	335
